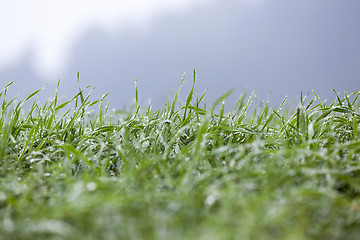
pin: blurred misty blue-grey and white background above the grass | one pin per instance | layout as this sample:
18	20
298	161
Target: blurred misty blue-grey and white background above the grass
278	47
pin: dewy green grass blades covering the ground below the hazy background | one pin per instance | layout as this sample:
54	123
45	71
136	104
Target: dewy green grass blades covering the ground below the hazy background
187	171
